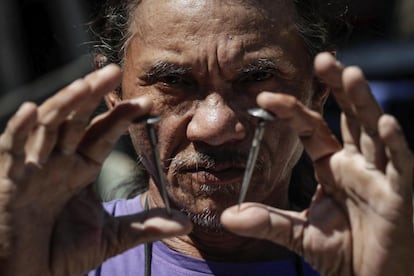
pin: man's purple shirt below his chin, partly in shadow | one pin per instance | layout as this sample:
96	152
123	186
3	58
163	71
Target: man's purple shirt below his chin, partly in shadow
167	262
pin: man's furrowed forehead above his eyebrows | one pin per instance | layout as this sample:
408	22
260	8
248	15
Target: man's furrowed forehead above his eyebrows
215	33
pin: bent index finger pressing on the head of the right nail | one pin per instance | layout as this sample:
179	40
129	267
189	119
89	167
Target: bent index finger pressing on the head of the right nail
315	135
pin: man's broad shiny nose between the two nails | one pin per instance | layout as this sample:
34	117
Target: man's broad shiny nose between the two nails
215	123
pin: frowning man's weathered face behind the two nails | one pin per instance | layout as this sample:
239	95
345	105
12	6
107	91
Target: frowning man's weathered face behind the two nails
203	63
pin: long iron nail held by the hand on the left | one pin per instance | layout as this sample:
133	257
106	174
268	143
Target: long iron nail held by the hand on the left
153	140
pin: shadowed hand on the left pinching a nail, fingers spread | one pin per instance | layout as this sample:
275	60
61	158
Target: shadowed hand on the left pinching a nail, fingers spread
49	156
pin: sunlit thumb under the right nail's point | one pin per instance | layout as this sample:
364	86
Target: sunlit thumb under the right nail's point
263	222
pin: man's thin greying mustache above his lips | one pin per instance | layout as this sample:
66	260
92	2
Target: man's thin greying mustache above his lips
211	159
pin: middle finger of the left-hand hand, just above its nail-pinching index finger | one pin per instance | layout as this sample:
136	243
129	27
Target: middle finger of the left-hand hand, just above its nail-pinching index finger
100	83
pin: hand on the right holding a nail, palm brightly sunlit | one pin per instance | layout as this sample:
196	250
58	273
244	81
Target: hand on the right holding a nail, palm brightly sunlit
360	219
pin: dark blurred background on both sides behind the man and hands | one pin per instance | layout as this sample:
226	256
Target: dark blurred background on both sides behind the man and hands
44	46
